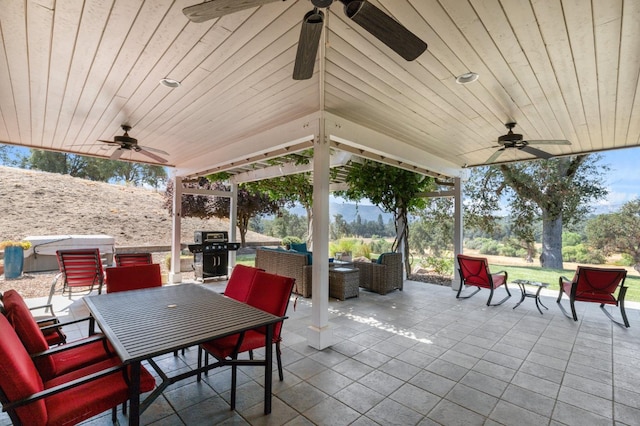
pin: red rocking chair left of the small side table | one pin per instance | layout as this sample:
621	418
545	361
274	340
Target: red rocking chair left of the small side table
474	271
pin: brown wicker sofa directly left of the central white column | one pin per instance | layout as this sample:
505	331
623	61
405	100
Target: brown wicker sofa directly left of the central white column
288	264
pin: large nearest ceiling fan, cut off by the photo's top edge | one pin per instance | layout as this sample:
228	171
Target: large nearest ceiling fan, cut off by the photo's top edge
371	18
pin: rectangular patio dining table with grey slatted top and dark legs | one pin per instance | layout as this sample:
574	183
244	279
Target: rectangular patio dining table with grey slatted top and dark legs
142	324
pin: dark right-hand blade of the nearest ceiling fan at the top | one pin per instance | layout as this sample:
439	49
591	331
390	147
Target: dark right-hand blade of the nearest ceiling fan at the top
385	28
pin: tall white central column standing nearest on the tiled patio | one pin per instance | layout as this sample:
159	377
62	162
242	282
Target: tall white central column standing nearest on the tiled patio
319	334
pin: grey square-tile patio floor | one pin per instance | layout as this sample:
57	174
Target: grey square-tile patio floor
422	357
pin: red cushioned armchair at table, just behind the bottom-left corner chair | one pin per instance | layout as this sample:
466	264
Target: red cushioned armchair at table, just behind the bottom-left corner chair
51	362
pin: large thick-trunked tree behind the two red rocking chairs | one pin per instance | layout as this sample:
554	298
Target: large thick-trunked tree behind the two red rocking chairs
556	191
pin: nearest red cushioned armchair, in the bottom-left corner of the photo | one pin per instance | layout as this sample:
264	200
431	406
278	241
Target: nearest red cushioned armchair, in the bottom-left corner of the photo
66	399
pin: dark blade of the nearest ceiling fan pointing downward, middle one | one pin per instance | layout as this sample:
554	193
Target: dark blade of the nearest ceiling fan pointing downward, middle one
310	33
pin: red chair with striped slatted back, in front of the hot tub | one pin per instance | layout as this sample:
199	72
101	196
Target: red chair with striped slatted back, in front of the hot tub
78	268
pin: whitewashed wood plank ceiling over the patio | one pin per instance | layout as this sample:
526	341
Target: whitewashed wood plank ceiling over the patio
73	71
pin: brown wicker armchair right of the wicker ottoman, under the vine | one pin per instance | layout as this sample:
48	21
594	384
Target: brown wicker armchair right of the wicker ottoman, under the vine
382	277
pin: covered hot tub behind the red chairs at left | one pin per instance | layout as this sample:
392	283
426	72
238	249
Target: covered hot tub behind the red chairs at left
42	254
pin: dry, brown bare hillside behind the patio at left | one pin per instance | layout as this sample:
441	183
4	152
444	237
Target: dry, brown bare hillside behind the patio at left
41	203
